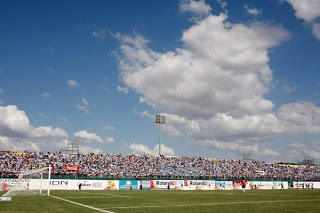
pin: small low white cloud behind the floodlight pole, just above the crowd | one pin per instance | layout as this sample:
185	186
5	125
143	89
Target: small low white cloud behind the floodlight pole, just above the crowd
142	149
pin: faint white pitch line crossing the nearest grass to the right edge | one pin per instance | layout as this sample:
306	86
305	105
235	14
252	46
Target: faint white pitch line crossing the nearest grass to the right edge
211	204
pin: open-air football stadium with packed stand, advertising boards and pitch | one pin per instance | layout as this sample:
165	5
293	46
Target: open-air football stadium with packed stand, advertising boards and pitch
78	182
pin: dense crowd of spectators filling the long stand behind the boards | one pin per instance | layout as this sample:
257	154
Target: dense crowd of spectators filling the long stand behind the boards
107	165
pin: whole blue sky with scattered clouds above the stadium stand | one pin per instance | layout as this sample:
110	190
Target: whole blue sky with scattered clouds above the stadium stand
231	77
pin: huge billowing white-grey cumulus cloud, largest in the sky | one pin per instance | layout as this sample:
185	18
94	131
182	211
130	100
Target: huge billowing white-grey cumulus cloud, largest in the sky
215	85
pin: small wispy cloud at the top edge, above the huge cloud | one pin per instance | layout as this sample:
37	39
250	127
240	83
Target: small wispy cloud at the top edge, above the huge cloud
197	7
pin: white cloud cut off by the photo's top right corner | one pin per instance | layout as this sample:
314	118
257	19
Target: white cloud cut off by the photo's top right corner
307	10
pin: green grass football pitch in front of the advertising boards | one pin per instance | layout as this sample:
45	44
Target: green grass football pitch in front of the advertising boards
168	201
